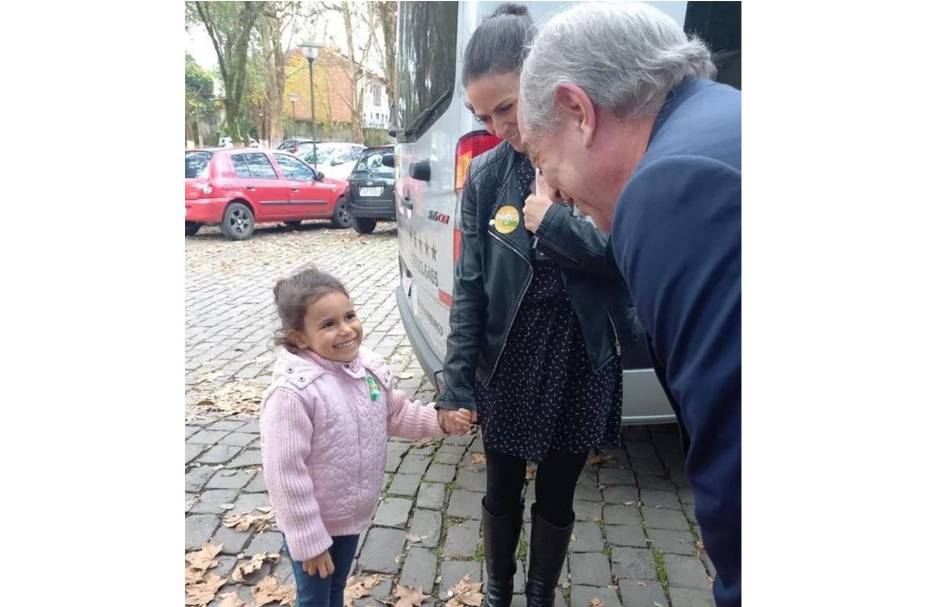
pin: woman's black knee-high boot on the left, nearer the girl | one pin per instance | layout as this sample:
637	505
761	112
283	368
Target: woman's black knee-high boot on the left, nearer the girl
500	541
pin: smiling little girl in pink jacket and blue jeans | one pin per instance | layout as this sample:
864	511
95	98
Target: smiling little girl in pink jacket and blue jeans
324	425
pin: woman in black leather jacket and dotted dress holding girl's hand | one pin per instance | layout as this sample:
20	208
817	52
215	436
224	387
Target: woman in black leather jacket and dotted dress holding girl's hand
532	349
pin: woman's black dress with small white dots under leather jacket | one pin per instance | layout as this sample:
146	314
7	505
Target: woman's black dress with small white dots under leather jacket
545	397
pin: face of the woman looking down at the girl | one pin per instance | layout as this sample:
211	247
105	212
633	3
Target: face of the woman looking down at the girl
493	99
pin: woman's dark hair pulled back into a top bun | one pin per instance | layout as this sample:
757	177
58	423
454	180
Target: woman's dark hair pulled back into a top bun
499	44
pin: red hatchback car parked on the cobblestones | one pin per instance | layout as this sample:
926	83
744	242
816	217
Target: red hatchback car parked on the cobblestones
240	187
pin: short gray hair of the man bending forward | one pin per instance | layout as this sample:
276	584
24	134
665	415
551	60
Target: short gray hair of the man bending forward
626	56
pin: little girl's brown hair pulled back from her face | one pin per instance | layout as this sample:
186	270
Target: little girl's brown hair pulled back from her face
295	294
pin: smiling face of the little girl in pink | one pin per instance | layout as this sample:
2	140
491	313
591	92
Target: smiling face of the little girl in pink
331	328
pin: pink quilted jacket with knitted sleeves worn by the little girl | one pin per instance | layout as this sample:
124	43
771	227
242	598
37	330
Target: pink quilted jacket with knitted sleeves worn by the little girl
323	444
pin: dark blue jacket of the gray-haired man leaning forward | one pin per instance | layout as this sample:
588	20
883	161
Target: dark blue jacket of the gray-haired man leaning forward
676	240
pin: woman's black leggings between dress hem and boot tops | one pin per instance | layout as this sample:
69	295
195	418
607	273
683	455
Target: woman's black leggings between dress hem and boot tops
554	488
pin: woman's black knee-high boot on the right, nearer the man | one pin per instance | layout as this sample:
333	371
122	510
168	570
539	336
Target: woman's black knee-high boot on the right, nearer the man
549	545
